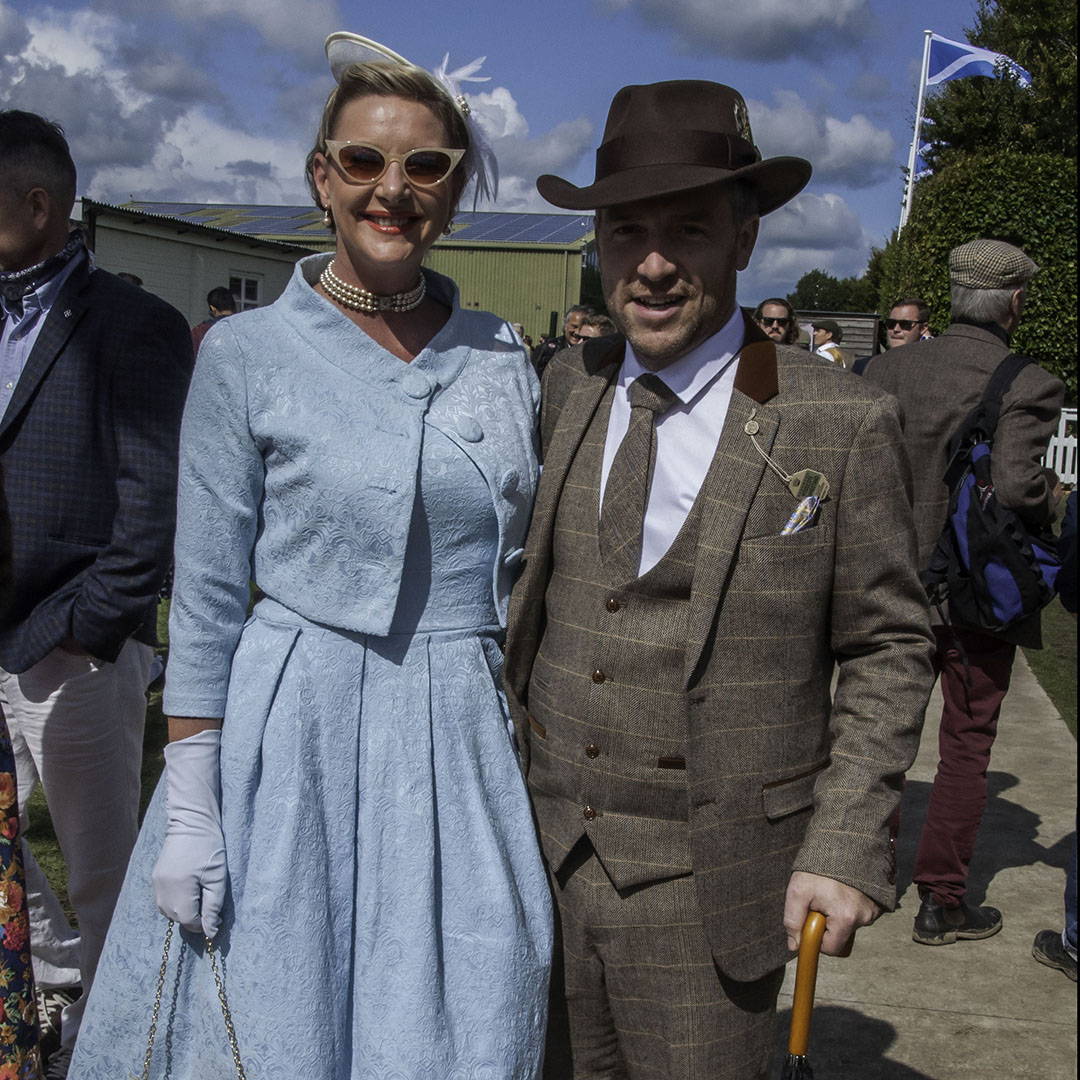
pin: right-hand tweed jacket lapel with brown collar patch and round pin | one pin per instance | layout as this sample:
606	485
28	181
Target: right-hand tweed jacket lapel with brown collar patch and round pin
731	487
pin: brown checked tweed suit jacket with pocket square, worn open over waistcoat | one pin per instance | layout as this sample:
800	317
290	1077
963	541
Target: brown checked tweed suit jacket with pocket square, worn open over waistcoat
781	775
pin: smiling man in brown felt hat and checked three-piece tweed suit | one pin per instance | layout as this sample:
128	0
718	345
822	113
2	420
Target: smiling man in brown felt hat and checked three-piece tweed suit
671	644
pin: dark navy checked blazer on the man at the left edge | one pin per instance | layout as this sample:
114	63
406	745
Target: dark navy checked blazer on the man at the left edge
89	448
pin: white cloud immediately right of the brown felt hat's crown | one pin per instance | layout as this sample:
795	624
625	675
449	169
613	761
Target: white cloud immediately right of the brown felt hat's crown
854	153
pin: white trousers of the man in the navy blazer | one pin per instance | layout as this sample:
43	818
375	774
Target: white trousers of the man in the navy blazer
77	727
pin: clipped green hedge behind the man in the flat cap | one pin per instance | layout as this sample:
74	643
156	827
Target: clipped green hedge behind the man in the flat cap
1030	200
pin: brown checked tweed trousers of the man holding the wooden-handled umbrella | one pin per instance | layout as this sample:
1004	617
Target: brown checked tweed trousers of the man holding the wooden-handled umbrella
636	992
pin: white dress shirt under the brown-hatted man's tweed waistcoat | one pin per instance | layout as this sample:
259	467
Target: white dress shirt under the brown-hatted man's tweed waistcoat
686	435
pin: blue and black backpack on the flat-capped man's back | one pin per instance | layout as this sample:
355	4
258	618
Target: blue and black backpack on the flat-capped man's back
989	565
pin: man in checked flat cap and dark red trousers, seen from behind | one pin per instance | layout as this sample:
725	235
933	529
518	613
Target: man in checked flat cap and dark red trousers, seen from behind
939	384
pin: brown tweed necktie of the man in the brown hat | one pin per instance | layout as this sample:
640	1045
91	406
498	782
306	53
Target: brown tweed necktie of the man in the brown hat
623	514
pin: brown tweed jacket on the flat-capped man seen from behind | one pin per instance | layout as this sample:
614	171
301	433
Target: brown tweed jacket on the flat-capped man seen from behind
938	384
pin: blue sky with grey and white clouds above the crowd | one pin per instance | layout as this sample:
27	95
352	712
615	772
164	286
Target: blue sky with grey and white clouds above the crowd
218	102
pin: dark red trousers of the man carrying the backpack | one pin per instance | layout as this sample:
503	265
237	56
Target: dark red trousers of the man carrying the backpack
974	695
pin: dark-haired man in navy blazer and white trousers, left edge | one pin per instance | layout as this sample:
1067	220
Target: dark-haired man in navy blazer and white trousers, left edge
93	374
